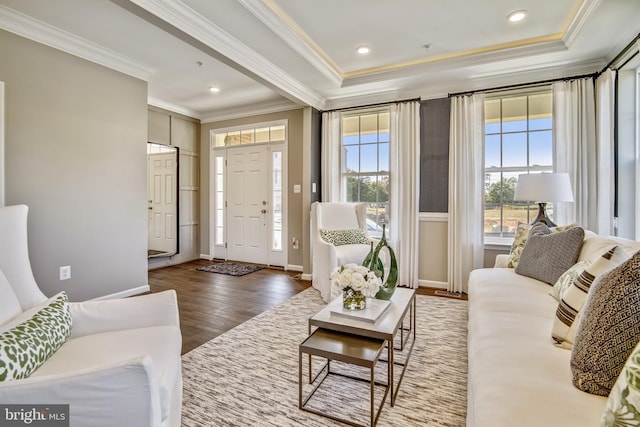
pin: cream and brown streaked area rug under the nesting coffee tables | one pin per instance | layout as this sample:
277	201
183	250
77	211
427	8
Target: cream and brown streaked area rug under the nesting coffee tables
249	375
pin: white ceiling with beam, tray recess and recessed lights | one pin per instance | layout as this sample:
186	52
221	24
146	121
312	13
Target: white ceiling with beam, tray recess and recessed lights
274	55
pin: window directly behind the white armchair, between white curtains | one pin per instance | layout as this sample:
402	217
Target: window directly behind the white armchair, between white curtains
365	164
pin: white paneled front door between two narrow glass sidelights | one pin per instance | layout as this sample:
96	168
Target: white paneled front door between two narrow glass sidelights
247	204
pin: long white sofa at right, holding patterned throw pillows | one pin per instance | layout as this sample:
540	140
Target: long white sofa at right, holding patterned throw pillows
516	376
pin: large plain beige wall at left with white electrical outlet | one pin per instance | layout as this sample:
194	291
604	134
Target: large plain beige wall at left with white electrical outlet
76	153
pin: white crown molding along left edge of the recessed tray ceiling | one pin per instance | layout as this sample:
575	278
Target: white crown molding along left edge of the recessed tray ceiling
284	27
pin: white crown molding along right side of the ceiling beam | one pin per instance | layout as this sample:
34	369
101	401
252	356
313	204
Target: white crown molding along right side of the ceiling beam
237	54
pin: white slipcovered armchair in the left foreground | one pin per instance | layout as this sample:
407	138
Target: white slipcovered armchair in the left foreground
121	364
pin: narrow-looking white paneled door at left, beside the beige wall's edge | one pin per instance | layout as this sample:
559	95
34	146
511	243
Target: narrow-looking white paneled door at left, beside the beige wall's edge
162	171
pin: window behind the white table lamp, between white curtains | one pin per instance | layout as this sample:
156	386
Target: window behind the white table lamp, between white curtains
518	140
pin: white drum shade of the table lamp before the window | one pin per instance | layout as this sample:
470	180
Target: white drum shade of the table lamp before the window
544	187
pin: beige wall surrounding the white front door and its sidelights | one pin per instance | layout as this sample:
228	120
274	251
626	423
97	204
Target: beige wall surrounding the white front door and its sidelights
296	210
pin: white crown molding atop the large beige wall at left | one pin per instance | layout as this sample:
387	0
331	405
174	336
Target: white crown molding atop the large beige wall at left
25	26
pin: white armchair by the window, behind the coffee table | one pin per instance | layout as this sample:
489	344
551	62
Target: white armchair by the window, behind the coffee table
325	256
